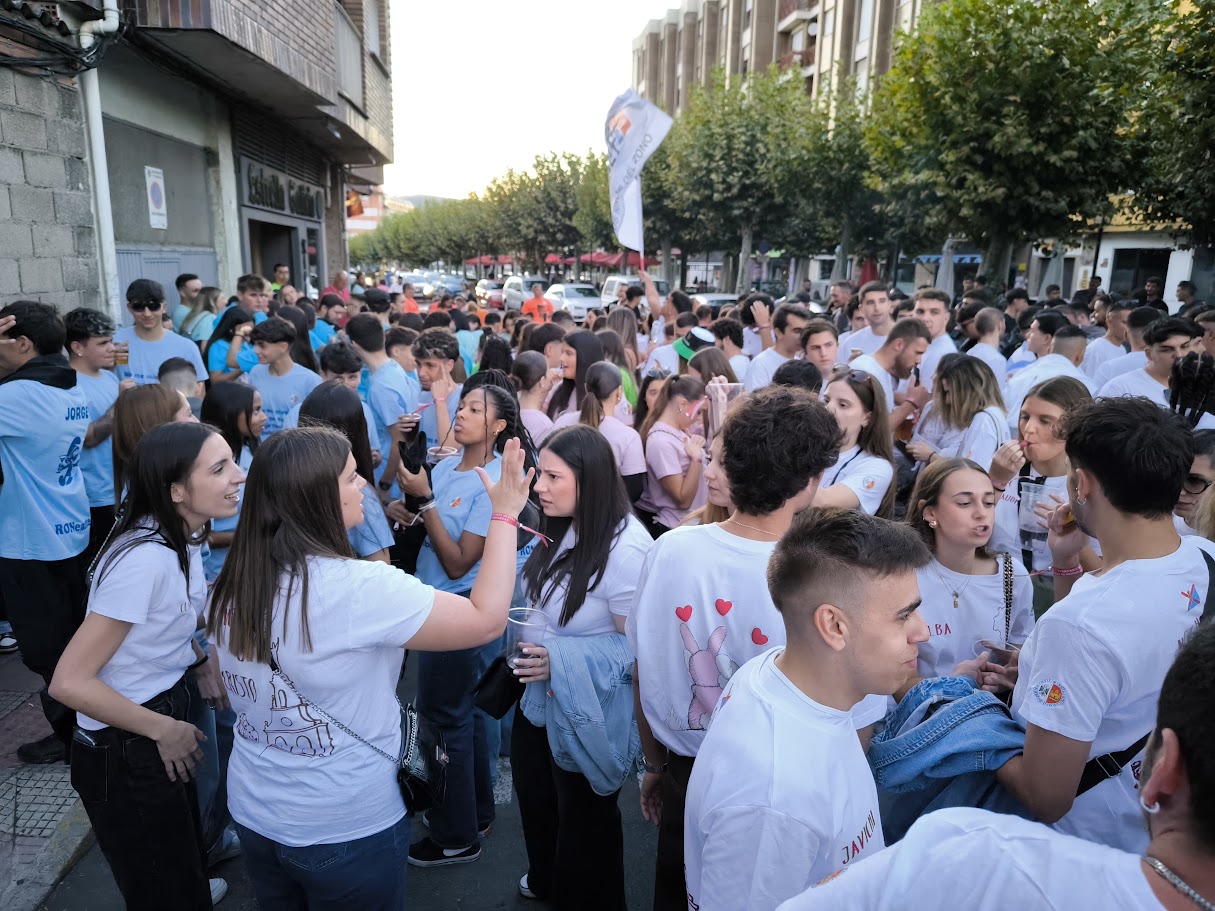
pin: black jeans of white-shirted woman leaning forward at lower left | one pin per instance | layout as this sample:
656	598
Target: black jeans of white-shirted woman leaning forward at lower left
148	827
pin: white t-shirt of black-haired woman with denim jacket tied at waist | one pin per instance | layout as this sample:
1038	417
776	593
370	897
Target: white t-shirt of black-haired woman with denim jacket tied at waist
613	596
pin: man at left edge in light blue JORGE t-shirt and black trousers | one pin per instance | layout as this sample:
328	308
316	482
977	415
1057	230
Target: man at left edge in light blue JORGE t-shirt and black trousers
44	506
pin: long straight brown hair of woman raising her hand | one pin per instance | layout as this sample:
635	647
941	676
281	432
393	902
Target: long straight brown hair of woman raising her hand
282	525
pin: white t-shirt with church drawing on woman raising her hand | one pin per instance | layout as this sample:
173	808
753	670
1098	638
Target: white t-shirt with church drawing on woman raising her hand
293	777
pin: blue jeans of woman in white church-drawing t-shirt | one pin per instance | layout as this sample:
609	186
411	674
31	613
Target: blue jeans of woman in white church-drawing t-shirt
364	875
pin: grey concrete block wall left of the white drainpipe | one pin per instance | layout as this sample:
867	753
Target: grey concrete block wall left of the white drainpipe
48	248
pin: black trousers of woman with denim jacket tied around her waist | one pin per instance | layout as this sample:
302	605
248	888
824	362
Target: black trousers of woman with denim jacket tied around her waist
574	836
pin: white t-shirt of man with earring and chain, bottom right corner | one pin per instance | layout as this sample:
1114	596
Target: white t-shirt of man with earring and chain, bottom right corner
986	862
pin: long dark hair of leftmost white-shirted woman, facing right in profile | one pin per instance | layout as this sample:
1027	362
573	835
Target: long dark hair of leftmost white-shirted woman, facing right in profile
165	457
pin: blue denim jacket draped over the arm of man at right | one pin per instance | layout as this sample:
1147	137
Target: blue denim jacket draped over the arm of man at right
941	748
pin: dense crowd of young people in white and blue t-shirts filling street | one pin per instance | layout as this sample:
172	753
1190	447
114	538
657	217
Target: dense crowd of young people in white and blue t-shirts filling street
861	591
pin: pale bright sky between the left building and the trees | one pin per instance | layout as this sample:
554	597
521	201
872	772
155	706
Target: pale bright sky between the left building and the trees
484	86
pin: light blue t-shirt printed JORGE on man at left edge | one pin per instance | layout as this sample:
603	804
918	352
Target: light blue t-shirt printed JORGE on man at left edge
44	507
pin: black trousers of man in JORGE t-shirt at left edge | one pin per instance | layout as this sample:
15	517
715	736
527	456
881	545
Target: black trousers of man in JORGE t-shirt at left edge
46	601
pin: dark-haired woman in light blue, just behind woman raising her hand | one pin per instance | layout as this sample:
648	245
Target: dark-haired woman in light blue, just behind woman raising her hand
336	405
